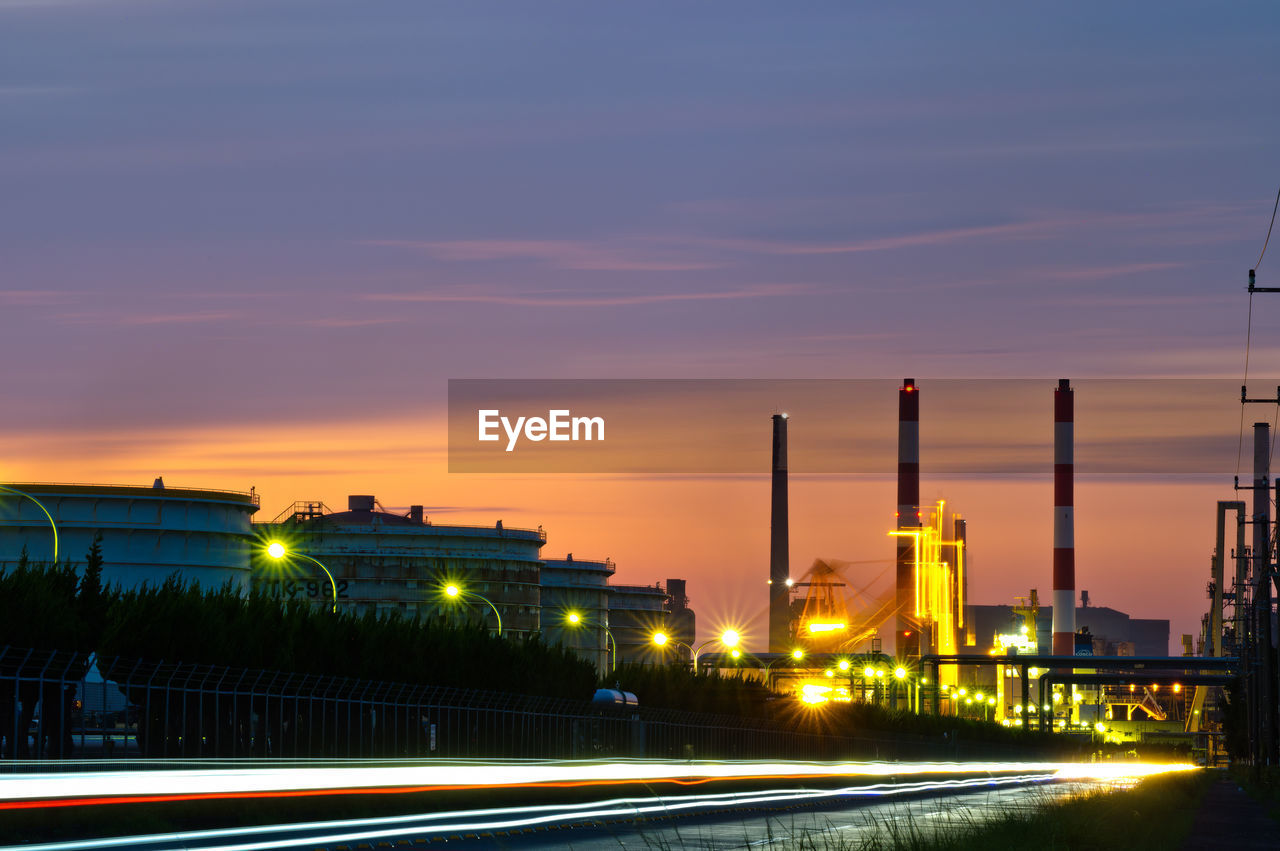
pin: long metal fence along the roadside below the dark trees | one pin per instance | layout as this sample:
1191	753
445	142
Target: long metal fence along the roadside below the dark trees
61	706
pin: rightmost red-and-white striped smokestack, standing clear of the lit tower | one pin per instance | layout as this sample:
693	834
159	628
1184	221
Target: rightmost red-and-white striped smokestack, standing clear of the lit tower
1064	520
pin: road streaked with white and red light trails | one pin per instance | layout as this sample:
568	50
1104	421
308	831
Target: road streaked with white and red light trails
582	806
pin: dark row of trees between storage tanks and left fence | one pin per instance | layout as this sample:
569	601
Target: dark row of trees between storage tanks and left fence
63	608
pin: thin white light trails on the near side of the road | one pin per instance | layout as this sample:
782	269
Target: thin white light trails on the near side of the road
473	822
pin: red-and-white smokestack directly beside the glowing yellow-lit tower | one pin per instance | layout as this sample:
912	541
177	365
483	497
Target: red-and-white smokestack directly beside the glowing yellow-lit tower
908	637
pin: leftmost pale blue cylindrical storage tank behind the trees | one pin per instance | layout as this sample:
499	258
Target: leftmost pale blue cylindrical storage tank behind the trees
148	533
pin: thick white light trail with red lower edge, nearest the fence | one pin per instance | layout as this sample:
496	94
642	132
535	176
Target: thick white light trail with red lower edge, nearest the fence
36	791
